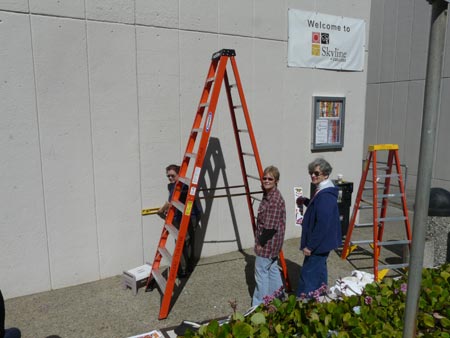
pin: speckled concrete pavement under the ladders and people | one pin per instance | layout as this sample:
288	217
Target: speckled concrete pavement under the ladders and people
104	309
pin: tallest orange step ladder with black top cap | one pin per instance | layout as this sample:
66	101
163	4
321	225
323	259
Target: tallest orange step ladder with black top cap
189	174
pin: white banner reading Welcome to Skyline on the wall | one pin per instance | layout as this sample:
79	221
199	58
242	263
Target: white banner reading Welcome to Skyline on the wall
325	41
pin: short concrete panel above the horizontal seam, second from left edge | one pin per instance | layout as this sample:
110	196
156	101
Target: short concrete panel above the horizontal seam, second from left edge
67	8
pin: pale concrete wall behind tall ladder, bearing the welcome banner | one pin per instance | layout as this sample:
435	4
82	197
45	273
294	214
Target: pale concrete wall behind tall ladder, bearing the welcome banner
97	97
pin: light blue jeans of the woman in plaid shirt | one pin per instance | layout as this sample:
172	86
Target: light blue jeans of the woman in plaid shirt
267	278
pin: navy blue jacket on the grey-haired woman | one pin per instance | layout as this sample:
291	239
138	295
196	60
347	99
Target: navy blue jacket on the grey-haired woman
321	226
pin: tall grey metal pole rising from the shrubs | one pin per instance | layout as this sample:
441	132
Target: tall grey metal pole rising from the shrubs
429	123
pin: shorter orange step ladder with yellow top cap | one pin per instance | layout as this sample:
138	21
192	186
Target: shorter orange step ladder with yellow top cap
382	177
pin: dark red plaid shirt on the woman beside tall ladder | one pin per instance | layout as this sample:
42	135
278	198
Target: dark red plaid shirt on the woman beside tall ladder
271	215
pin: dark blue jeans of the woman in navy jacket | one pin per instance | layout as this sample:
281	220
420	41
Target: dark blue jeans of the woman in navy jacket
313	274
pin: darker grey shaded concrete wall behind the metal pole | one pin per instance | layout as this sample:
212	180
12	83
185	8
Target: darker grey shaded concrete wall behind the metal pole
398	50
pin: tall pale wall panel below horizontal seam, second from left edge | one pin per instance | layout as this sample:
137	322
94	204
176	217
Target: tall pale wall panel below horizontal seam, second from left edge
65	129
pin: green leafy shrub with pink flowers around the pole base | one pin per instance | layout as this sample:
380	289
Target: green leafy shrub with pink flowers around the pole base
377	312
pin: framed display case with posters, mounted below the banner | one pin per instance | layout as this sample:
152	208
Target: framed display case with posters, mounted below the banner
328	119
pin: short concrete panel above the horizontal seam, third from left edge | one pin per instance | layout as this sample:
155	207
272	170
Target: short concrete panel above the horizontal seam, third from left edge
118	11
